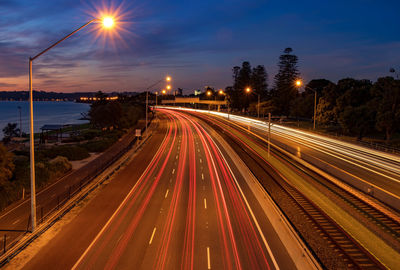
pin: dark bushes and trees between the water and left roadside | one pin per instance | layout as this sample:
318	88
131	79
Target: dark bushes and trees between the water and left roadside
109	121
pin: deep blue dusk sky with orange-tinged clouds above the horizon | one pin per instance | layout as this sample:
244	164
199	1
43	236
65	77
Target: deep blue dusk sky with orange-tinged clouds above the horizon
196	42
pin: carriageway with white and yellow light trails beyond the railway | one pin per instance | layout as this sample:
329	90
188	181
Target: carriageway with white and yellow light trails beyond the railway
372	171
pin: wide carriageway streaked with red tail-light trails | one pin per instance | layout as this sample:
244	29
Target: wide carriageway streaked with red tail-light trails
181	203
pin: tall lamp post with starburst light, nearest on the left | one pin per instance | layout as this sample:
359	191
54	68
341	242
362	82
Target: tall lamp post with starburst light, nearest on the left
108	22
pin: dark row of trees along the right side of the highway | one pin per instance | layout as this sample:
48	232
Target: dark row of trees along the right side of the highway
361	109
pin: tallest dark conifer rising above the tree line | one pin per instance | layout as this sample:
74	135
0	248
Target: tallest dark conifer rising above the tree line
285	91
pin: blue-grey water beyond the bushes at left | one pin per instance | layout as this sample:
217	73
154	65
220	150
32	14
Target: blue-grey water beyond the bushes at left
44	113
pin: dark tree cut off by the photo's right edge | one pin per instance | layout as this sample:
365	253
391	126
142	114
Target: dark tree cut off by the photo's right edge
386	100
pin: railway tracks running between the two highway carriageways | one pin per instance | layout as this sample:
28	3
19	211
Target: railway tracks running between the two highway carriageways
346	248
